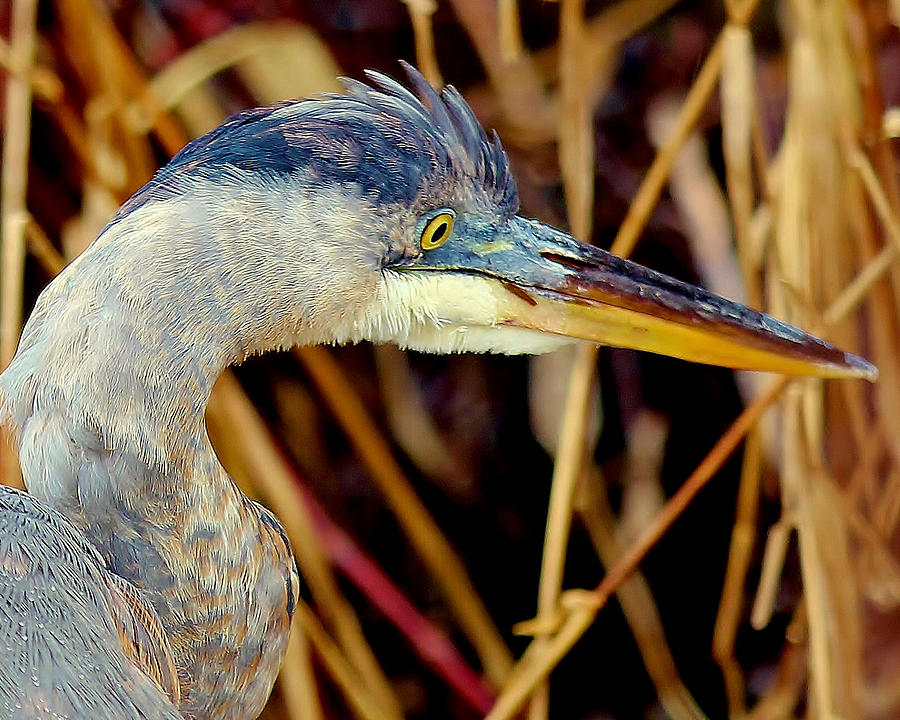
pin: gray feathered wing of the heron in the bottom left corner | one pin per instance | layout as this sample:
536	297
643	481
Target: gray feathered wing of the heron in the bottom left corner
76	641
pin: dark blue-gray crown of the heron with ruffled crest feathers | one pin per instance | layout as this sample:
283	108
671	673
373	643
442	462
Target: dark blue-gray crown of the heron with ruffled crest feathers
382	138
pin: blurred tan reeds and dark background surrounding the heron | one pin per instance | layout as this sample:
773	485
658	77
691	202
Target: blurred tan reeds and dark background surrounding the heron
744	148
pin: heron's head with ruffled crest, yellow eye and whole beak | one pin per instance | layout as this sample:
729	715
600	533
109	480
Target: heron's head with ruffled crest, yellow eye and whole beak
398	222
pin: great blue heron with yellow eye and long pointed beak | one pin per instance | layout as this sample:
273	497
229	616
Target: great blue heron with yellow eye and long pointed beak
135	578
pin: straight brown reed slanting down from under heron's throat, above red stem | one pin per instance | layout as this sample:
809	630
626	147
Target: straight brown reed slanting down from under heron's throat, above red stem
427	540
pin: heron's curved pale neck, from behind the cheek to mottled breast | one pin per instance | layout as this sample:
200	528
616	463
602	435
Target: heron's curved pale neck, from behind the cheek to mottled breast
107	393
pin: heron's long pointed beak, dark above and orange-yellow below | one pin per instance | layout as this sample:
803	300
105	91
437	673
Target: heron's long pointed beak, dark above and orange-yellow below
568	288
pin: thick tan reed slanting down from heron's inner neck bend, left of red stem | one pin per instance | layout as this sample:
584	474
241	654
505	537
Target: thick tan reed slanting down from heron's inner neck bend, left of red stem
232	412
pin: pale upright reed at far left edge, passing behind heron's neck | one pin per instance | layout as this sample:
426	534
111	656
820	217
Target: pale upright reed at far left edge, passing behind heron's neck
13	190
